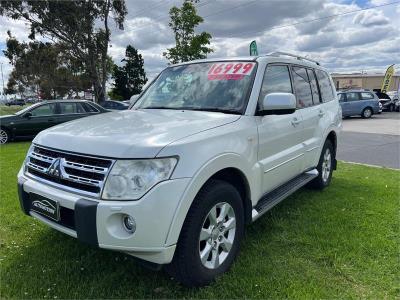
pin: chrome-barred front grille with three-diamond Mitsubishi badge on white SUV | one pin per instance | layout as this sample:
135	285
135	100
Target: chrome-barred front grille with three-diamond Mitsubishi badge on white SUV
80	173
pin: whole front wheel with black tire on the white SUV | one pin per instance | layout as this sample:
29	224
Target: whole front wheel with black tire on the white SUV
210	237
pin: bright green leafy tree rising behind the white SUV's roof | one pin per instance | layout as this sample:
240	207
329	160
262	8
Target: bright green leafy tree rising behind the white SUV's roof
189	45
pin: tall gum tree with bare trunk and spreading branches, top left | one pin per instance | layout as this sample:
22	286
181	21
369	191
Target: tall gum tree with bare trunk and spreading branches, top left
80	27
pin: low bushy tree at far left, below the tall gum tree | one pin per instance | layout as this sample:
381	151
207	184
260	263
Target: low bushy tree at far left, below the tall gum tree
42	68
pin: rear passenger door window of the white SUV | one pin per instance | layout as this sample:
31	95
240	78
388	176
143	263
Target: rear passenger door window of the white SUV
302	87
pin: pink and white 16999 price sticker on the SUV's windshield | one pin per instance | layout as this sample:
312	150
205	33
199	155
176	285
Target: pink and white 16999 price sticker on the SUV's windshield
230	70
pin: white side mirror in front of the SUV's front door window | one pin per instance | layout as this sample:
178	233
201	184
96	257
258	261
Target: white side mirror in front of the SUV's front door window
278	104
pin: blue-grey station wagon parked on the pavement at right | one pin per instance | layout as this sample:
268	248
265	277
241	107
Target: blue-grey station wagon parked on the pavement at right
364	103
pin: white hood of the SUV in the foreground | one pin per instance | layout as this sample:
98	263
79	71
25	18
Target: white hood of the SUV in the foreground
130	133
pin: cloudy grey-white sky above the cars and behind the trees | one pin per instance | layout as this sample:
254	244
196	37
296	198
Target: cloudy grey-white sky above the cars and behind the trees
367	40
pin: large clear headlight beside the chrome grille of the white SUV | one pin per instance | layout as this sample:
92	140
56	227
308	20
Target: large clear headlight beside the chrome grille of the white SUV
131	179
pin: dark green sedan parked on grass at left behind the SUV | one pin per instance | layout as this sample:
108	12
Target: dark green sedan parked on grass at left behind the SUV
33	119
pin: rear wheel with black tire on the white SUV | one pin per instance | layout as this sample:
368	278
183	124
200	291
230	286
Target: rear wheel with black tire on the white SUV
325	167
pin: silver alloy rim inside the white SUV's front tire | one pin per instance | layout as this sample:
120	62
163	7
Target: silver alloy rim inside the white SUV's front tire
217	235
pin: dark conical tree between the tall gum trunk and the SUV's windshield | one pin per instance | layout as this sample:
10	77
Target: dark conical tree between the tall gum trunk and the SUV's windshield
129	78
